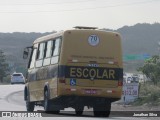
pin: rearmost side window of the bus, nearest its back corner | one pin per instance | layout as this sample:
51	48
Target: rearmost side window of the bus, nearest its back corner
55	51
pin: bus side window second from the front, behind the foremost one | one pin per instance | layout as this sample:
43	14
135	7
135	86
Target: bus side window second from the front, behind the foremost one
40	55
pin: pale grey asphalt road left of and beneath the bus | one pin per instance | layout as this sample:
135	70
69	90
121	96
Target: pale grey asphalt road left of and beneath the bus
11	99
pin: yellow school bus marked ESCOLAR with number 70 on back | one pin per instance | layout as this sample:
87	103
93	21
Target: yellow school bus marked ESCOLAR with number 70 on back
75	68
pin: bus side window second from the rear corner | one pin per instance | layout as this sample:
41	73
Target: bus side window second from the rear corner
47	55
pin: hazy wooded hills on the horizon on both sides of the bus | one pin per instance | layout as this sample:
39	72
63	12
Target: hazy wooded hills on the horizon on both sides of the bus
137	39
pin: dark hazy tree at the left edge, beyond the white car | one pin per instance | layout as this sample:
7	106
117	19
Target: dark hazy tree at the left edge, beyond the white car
4	69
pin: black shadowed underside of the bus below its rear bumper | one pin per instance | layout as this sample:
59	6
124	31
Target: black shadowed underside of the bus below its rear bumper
74	101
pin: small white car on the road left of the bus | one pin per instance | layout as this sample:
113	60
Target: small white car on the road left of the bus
17	78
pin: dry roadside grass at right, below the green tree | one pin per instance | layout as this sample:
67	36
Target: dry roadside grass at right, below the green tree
149	94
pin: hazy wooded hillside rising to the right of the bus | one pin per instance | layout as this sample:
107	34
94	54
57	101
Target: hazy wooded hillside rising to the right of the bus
140	38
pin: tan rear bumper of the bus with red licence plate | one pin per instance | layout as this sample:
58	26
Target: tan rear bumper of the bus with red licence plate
110	93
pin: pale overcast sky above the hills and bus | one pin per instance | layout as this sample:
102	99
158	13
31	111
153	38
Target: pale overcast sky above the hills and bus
49	15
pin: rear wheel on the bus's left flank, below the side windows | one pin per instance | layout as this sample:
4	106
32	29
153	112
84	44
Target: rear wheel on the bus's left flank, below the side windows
46	101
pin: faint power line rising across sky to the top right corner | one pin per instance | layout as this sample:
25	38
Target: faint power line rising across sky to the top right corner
91	8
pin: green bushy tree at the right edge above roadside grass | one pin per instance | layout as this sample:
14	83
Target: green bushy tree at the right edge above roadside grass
151	69
